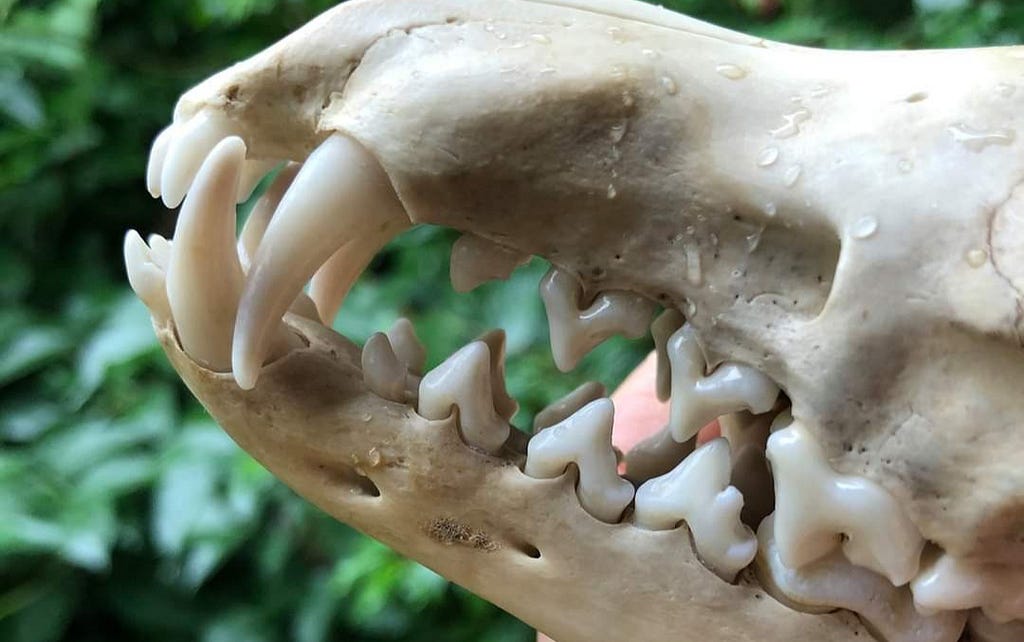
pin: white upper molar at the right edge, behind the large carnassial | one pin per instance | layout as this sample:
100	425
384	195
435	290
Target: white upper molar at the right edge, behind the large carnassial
951	584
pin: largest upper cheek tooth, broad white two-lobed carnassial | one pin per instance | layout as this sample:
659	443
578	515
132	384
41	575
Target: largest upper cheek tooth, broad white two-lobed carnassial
816	508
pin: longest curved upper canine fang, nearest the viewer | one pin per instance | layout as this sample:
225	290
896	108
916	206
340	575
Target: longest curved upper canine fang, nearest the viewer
342	198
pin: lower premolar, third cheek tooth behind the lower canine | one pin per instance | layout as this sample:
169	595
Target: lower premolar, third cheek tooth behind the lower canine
584	440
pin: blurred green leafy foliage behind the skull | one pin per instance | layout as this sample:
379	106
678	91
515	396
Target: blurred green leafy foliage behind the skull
125	513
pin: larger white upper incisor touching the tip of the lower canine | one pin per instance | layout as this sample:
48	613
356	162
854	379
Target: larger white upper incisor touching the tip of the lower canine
192	144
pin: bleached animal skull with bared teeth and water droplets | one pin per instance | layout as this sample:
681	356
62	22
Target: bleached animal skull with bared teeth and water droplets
844	228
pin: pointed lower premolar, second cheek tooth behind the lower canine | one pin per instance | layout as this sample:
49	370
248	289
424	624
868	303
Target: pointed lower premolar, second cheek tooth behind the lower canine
464	381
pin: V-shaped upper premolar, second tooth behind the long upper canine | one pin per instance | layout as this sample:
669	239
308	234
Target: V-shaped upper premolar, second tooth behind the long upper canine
576	332
